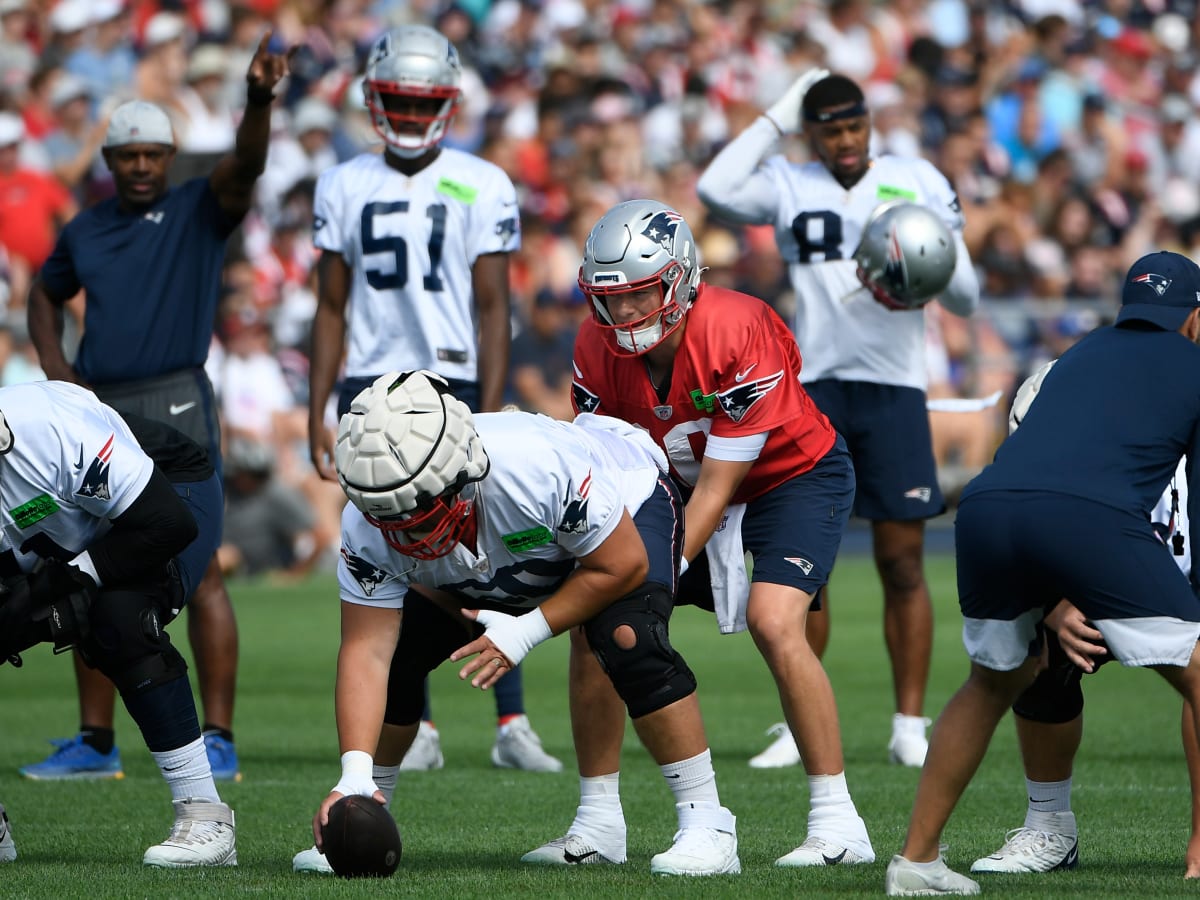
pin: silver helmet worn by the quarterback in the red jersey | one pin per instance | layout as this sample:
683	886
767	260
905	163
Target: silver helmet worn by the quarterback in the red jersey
635	245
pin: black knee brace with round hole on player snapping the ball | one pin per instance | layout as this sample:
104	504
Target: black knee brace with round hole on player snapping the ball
651	674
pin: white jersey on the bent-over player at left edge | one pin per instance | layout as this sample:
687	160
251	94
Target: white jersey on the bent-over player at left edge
74	466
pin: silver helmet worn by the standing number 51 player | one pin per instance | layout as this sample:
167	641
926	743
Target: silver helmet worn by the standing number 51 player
412	88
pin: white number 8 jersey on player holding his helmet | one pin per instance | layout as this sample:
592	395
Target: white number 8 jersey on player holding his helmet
842	331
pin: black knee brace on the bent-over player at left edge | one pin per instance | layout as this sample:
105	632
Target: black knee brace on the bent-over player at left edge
128	643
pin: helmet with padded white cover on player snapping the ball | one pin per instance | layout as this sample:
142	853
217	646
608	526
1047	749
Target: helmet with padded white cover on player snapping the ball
405	454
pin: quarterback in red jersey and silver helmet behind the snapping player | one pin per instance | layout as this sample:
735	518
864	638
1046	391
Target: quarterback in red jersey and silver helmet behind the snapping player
715	377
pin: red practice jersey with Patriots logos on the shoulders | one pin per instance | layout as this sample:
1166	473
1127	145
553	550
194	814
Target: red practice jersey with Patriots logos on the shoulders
736	374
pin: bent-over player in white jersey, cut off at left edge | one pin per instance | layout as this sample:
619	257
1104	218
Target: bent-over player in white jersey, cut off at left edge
101	549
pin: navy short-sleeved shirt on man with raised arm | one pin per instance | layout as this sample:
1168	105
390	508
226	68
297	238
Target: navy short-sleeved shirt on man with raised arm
153	280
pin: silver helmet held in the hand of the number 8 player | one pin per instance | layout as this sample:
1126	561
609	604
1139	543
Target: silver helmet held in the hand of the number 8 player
907	255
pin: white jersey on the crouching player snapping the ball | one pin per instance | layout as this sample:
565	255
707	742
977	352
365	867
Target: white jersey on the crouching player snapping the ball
554	494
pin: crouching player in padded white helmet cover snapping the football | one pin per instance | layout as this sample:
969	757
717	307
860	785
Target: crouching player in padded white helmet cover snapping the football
539	526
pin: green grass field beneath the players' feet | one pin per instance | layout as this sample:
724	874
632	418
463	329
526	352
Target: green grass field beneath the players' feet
466	827
